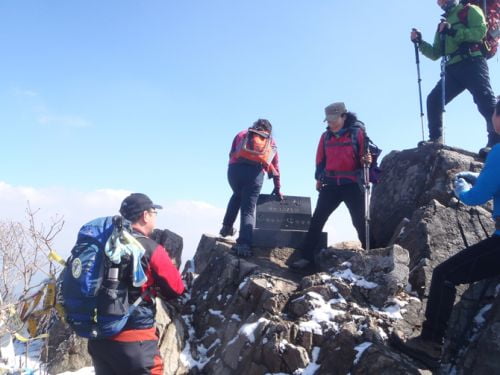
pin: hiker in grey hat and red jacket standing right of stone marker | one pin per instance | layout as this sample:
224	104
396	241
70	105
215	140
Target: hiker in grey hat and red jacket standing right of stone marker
341	155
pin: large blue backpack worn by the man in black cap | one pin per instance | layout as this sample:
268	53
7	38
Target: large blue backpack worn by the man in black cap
95	291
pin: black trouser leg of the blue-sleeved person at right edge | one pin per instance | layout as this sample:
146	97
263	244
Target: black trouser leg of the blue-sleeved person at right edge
474	263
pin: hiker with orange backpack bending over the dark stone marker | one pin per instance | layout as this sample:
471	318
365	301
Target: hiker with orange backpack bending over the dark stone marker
253	154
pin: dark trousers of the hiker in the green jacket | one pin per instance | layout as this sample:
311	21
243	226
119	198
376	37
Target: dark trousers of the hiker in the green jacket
470	74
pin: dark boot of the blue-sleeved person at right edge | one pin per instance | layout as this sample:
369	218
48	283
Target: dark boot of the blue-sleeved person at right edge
422	349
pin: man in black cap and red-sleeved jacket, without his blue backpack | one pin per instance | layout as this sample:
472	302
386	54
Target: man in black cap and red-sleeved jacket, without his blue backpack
135	349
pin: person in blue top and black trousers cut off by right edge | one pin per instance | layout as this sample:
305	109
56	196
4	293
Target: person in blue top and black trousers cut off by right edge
474	263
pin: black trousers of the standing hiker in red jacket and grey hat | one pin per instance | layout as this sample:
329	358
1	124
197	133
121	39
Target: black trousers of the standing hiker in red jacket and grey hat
330	197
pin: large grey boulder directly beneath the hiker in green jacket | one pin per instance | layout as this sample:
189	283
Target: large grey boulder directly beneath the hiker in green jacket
410	180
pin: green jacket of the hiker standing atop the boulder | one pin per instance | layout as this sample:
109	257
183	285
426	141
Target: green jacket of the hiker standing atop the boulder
473	32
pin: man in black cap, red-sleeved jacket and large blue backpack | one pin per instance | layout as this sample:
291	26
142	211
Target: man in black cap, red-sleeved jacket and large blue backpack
109	285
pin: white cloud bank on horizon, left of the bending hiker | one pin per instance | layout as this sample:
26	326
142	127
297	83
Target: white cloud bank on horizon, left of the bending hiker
187	218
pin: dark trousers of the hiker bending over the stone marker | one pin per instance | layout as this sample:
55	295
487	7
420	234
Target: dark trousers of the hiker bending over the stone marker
246	182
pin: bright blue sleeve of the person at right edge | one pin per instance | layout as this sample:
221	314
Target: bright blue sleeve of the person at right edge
488	182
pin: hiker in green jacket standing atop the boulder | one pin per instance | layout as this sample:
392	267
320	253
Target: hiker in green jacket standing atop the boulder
460	43
